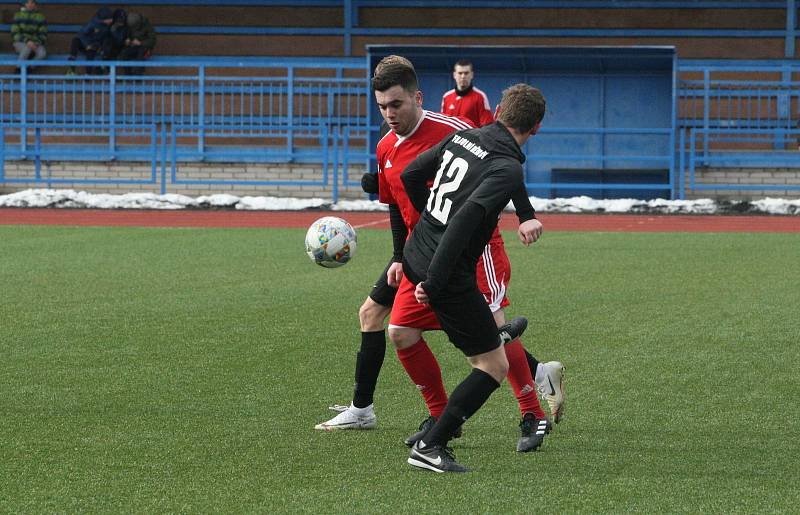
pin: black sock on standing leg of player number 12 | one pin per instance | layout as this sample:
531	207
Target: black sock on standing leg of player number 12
465	400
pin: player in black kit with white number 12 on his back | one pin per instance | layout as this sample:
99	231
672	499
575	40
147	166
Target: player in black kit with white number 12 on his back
475	173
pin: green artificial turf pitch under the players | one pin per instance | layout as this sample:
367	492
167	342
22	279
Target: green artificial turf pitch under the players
183	370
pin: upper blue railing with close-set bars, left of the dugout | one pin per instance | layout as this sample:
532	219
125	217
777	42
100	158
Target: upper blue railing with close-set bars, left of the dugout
215	103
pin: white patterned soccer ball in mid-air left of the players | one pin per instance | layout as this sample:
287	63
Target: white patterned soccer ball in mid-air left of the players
330	242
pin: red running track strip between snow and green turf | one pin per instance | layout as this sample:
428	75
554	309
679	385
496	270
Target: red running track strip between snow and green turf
230	218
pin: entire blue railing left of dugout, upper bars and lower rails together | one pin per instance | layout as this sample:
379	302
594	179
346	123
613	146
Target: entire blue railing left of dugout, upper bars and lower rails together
279	112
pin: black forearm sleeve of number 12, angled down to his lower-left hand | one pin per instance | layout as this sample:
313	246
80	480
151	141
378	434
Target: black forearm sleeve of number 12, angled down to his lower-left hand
454	241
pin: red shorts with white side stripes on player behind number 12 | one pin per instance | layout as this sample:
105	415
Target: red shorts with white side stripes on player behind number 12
493	274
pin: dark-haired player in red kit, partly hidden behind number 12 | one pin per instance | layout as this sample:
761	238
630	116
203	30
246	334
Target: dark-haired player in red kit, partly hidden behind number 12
409	318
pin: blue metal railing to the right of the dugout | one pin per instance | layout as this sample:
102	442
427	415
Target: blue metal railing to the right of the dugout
738	115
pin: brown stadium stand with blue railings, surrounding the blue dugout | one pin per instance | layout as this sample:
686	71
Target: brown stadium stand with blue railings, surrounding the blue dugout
283	82
